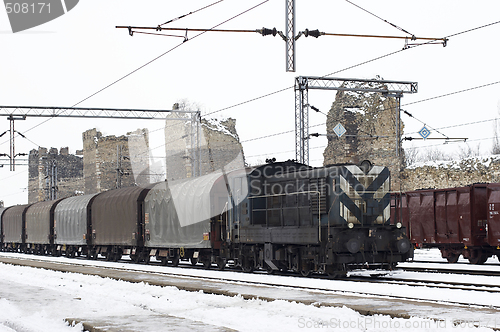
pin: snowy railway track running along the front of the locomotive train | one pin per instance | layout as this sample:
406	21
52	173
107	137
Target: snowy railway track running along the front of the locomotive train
382	287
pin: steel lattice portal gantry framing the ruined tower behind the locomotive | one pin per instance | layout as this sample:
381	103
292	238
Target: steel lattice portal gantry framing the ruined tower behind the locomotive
304	83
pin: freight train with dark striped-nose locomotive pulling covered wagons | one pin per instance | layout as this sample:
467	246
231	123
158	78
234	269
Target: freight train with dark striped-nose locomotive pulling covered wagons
281	216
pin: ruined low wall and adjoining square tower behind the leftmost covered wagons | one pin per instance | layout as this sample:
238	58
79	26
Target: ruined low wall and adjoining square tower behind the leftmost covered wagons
103	164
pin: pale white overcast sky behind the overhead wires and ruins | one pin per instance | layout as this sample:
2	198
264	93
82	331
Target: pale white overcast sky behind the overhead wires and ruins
72	57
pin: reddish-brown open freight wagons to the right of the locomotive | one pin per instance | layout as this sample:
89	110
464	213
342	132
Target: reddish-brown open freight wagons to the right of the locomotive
459	221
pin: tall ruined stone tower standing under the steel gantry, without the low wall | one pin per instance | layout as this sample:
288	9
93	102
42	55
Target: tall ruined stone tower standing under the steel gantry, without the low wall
370	122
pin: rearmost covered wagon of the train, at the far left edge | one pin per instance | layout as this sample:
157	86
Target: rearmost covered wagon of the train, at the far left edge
14	227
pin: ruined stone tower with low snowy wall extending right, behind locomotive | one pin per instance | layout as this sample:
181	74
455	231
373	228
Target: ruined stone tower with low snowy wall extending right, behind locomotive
370	123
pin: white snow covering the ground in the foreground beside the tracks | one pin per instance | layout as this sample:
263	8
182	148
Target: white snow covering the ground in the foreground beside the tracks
39	300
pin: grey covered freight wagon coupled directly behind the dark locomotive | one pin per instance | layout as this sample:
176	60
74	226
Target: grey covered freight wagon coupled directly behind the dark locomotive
177	221
